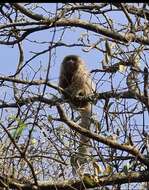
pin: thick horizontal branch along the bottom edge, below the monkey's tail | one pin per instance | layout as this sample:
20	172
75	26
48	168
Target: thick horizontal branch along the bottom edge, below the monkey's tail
87	182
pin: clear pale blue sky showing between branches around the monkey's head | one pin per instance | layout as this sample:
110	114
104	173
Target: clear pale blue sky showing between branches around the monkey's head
93	59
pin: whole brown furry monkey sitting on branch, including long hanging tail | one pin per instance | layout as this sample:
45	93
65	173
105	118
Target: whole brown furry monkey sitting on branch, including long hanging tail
75	79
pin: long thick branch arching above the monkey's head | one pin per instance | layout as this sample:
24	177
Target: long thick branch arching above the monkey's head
63	22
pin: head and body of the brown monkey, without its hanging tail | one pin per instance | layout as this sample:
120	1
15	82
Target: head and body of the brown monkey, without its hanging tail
75	78
